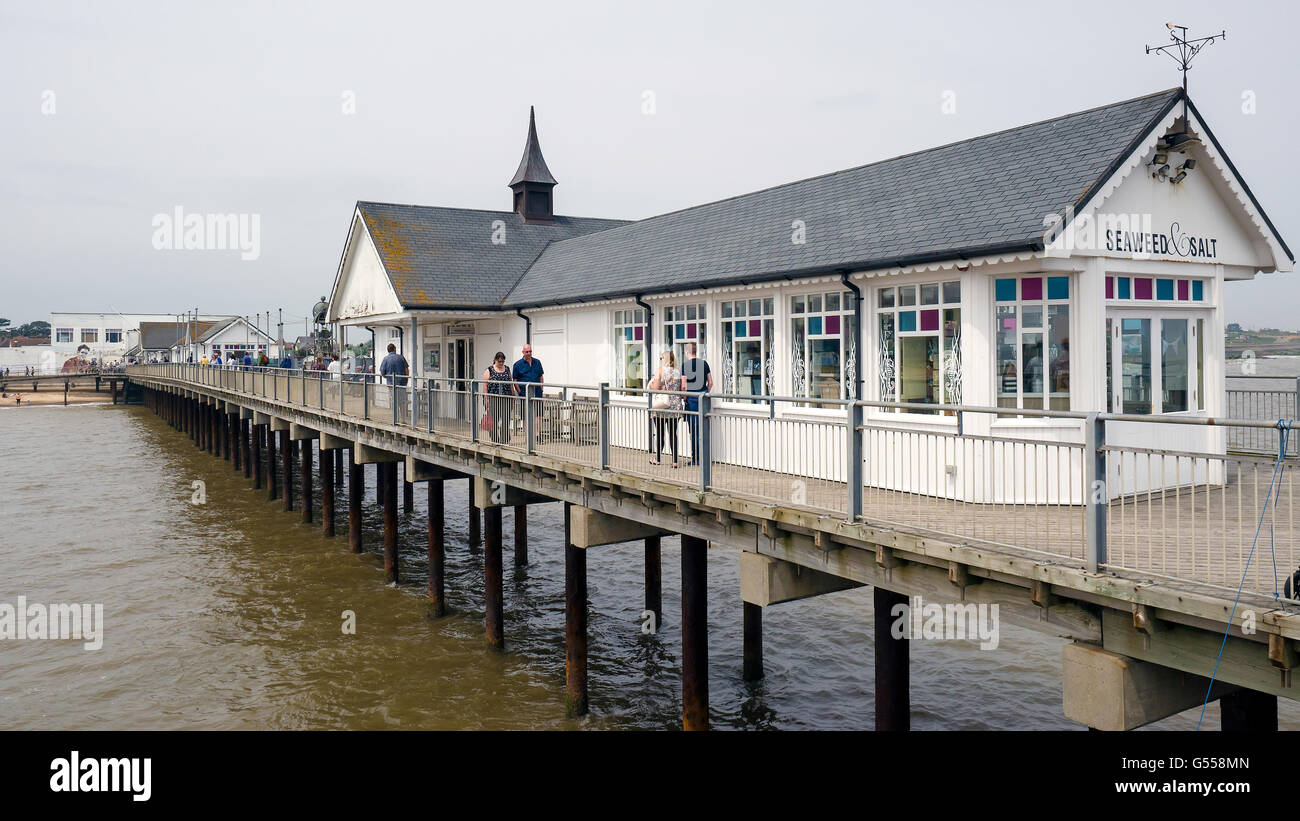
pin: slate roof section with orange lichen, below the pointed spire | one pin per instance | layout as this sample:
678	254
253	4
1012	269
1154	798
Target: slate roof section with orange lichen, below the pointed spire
445	258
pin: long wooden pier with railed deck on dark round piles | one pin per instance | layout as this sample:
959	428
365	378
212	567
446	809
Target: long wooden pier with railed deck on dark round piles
1133	553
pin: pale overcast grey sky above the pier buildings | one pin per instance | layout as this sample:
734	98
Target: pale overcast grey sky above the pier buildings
115	115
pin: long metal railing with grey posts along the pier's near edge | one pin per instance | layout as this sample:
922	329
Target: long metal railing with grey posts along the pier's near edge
1160	497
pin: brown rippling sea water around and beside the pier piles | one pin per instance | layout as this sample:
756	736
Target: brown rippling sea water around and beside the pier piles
228	615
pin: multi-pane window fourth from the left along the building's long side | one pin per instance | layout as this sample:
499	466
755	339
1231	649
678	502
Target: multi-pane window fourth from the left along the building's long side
825	358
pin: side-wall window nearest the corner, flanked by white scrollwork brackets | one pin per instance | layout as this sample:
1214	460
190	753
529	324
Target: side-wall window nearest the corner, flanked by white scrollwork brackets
921	358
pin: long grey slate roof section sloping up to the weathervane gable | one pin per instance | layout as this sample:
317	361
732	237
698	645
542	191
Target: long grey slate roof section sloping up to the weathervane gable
983	196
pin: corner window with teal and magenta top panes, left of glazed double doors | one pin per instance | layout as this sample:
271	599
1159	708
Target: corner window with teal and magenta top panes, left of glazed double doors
1033	325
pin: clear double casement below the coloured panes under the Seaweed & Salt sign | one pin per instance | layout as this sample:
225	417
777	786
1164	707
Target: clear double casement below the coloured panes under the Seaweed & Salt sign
1159	360
